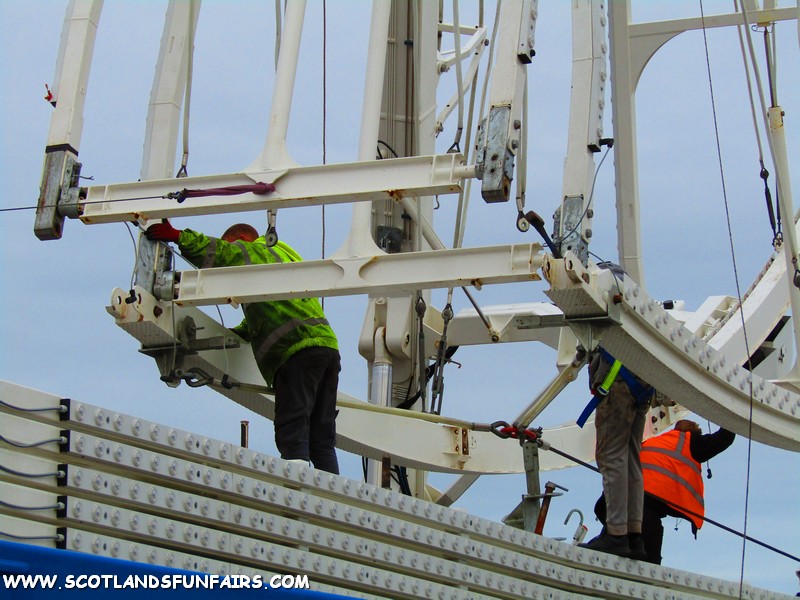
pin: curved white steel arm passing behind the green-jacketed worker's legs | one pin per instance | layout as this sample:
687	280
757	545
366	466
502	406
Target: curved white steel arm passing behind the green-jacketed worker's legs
441	444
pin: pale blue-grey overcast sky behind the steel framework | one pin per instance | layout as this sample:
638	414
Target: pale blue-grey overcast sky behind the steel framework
58	338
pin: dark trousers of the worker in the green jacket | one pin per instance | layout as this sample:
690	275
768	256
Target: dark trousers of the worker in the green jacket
305	407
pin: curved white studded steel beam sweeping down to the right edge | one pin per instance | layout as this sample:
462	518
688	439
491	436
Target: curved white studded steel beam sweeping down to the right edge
667	355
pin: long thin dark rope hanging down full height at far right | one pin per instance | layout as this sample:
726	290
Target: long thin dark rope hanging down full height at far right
738	295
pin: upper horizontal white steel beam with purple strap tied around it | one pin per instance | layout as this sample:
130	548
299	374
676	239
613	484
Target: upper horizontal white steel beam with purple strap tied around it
391	179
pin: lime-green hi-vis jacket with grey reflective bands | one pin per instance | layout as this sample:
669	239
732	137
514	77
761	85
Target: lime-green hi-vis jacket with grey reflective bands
277	329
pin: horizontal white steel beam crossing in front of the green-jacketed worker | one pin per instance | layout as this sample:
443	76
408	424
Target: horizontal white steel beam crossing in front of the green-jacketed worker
383	275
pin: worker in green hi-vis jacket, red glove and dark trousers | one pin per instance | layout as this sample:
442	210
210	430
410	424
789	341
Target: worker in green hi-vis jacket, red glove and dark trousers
294	346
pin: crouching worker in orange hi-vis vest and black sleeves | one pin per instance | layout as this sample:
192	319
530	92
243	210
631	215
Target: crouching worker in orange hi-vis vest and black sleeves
673	482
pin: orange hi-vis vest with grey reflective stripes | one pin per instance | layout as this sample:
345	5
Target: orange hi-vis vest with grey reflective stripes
671	474
